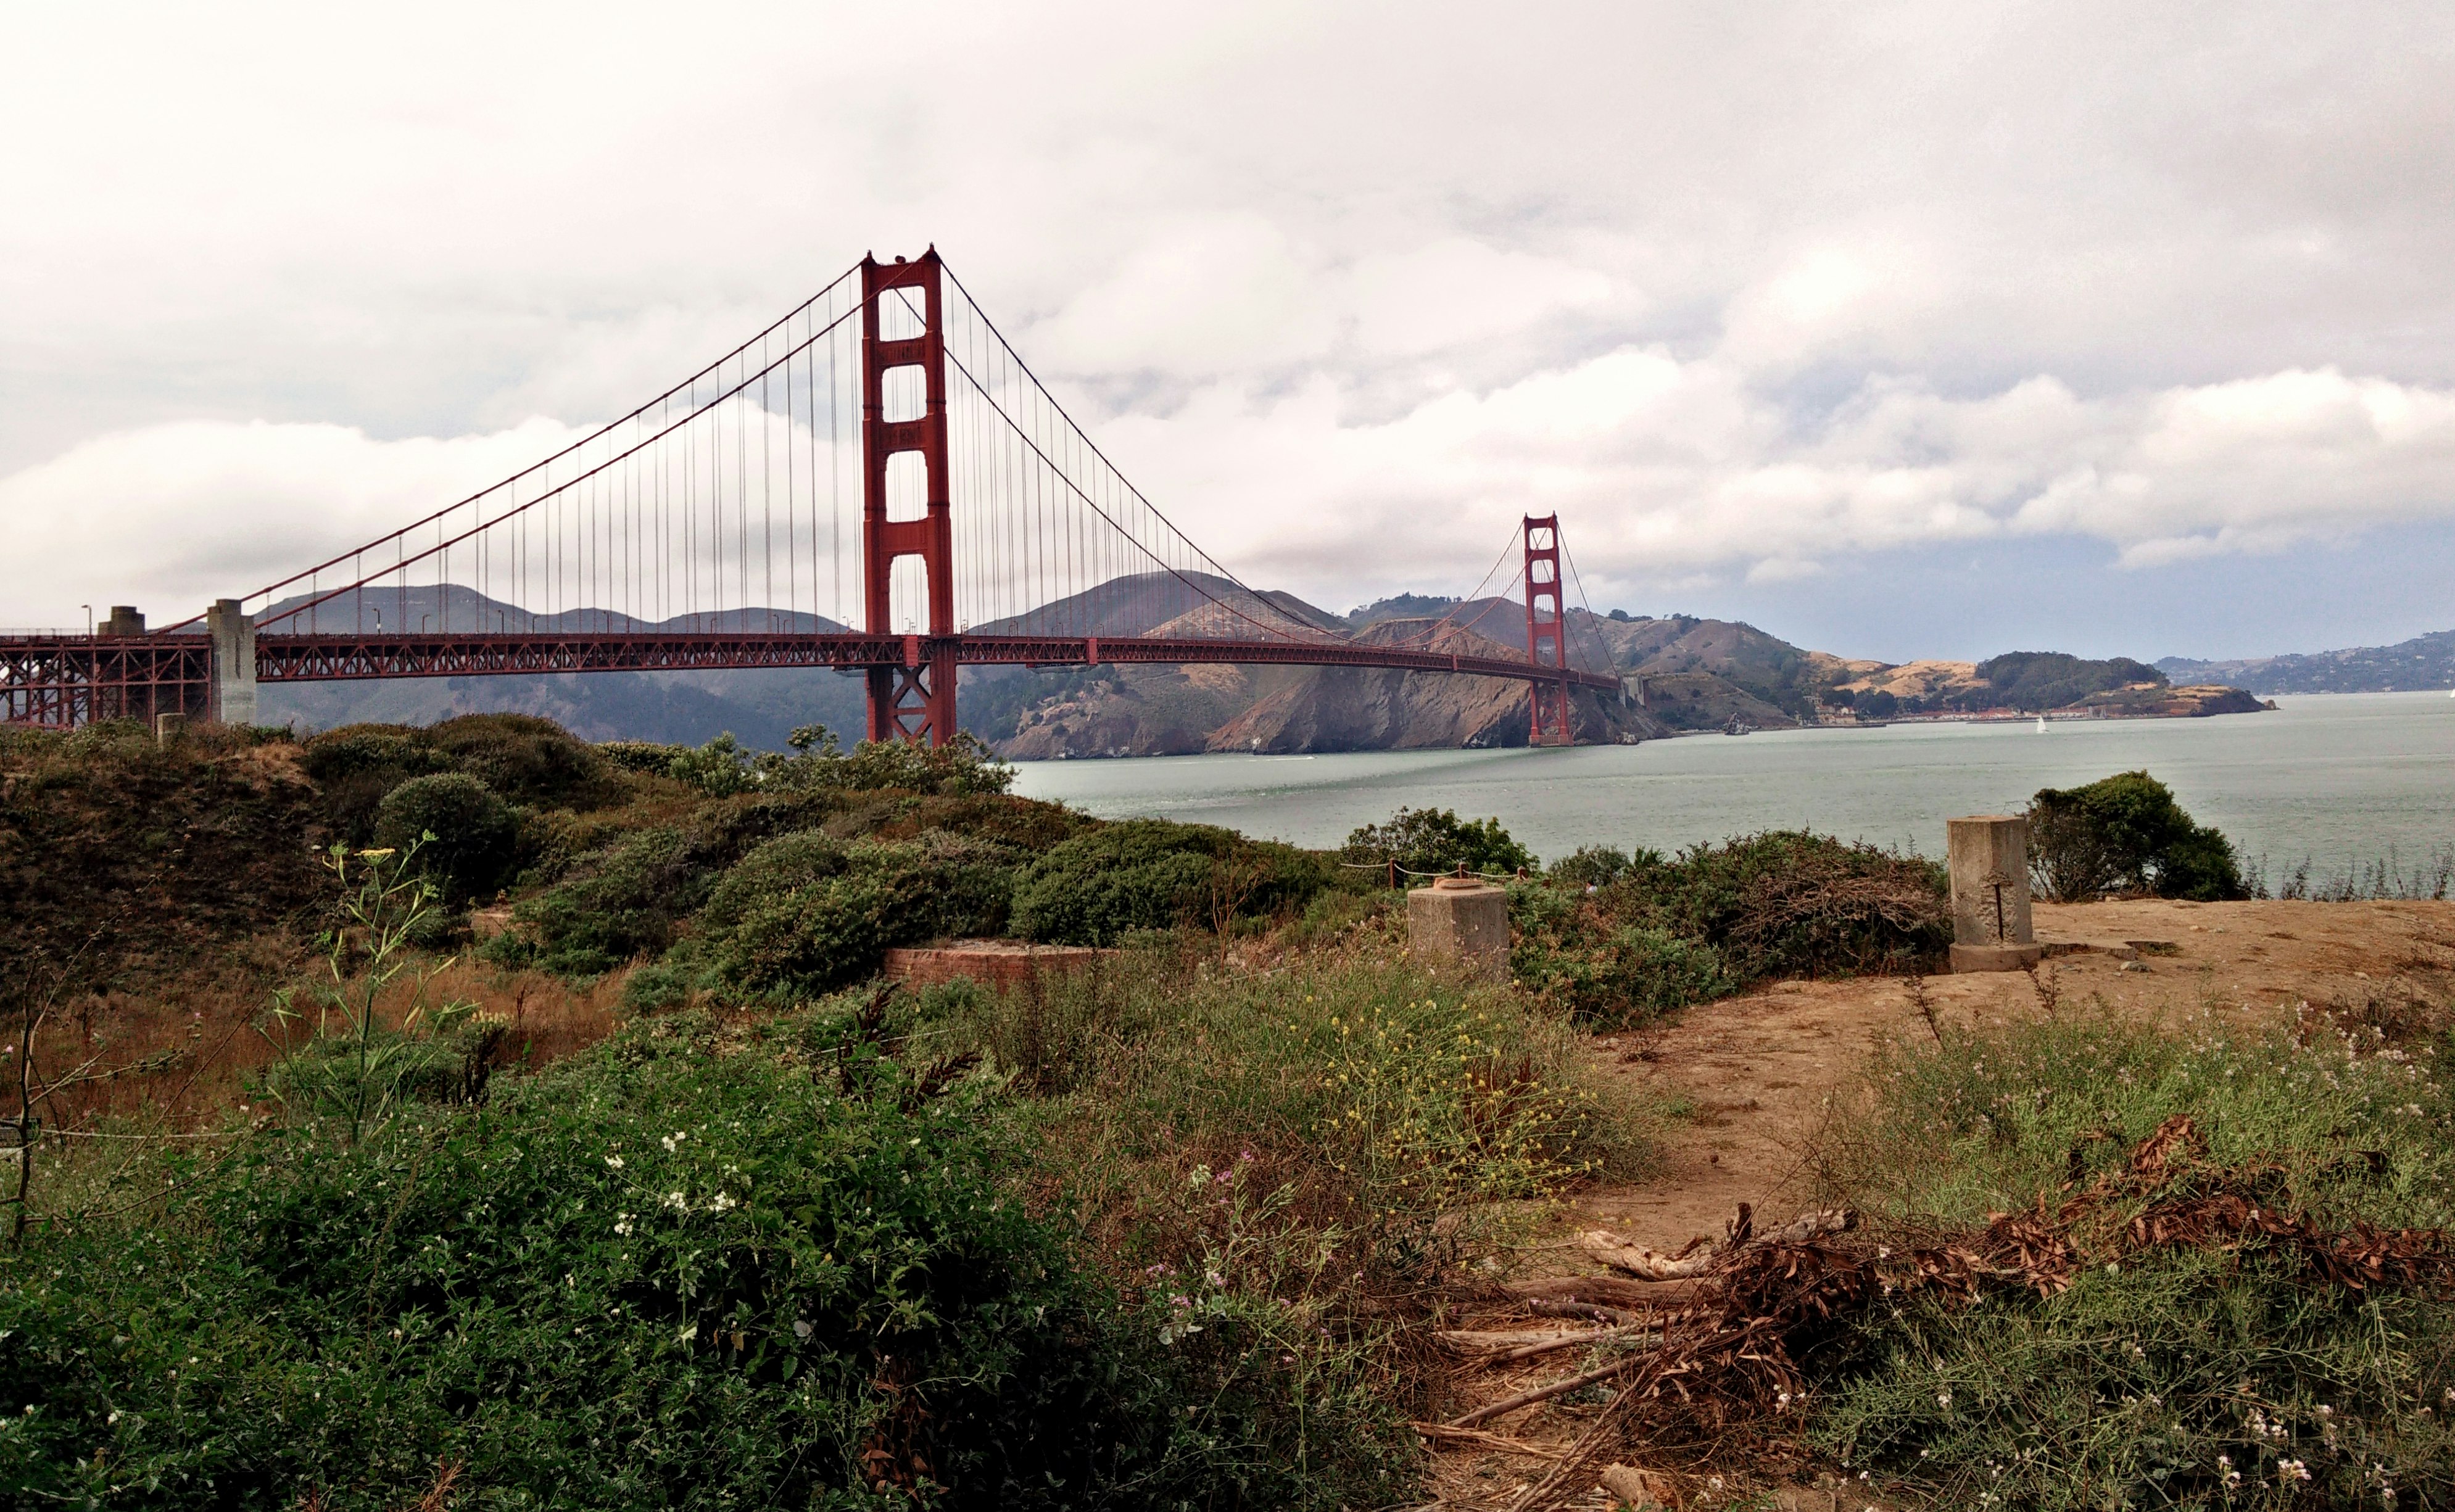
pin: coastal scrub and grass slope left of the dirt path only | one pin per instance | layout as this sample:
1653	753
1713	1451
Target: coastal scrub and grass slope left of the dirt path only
782	1236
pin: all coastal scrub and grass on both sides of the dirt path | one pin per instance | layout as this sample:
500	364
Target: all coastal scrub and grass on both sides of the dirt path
750	1226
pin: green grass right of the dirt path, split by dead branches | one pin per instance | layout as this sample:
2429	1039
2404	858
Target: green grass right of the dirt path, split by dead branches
2171	1378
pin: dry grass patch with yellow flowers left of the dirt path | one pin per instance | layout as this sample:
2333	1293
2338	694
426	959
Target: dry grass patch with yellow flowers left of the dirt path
1332	1130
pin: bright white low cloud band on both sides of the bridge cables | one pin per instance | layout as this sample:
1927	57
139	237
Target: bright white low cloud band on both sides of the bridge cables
1663	470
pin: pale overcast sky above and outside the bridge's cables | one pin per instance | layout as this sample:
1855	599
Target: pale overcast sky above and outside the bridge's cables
1896	330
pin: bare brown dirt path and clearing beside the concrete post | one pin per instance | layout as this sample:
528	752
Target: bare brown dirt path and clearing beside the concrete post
1759	1074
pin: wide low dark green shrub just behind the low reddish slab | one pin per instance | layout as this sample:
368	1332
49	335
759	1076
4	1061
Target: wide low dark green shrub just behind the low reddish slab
1155	875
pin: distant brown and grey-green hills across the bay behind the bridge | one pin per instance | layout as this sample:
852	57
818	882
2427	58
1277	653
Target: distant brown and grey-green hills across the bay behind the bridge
1683	671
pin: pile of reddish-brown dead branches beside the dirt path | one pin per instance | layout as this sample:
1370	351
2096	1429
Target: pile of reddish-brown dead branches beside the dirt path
1749	1309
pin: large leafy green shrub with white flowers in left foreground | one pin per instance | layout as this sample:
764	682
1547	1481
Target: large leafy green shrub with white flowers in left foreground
652	1278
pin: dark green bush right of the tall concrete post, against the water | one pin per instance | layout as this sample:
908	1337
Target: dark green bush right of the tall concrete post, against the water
2125	836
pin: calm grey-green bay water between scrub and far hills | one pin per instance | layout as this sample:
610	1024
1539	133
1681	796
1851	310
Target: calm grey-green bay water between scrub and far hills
2326	779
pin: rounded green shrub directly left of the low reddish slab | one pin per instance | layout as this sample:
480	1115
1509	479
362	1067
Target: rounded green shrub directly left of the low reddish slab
806	914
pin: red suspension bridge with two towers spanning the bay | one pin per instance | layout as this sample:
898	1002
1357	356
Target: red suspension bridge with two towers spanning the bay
875	458
